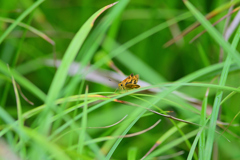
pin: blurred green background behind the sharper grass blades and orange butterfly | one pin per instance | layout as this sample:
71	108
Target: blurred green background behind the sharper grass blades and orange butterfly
26	53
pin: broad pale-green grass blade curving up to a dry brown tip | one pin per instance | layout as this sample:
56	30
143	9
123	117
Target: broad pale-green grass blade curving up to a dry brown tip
62	72
